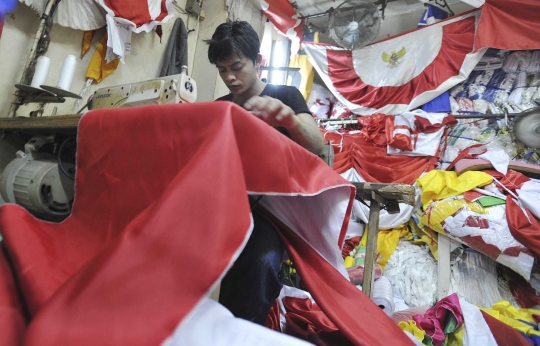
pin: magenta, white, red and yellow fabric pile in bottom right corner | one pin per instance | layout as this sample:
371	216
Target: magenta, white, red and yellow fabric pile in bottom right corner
454	321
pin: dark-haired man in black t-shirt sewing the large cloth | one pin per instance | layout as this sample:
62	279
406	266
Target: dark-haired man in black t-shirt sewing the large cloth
252	284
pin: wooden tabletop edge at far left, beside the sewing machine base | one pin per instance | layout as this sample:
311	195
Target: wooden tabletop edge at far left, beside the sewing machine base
40	123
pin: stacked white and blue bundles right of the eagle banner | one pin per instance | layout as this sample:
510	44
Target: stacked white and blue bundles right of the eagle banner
491	88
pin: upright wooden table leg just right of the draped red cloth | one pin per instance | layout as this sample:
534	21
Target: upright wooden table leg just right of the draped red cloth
371	246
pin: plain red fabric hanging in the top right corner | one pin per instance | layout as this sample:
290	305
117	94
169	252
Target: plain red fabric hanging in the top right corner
508	24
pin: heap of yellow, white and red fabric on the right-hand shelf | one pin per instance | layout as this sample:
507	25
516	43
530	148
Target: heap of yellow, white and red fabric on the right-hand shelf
451	208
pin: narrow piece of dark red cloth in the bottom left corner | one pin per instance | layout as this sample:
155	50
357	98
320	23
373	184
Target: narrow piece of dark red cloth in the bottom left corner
12	320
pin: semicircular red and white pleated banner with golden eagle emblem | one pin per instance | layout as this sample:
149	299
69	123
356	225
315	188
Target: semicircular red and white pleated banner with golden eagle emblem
401	73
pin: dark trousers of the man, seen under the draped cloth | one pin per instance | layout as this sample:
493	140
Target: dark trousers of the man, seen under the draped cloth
251	286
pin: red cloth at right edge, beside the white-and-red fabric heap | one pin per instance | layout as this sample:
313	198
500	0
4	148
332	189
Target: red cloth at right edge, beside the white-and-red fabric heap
525	230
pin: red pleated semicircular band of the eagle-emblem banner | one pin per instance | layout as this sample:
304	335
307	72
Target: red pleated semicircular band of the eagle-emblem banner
457	42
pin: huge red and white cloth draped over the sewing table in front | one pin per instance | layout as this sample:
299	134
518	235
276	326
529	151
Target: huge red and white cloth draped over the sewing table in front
160	214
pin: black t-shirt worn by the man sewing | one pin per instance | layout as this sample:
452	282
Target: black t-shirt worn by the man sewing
289	95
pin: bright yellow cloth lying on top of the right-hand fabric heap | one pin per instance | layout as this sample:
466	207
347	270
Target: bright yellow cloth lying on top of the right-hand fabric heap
442	184
